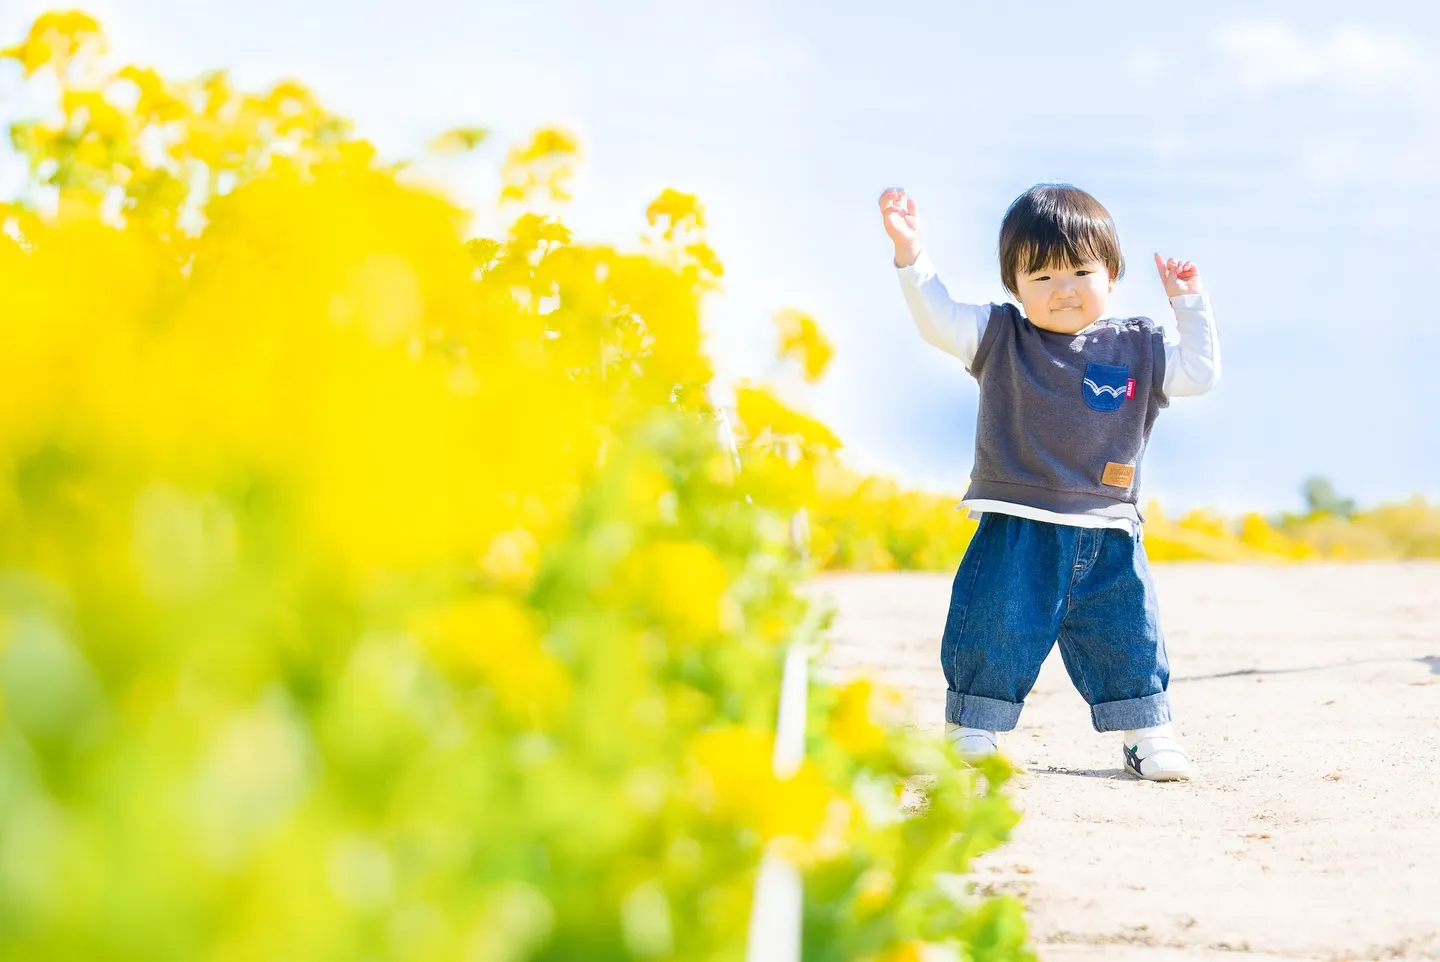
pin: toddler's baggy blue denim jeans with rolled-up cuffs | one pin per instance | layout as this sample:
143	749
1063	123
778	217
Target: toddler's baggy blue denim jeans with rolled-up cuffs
1026	585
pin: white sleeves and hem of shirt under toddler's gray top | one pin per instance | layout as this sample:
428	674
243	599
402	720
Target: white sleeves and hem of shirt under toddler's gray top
1192	361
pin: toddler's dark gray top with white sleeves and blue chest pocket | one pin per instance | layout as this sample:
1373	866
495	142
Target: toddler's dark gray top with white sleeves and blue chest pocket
1036	441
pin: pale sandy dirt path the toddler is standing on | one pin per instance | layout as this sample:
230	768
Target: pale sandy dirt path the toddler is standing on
1310	699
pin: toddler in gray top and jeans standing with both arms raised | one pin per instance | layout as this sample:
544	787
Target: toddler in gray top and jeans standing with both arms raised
1068	398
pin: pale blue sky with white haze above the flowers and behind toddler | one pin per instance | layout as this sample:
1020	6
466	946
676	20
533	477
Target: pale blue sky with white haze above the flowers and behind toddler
1288	149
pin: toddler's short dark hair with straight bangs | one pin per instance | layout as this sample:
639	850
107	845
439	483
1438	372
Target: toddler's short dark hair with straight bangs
1056	227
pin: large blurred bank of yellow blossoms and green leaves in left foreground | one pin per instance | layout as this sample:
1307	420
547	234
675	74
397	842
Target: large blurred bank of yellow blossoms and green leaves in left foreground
348	557
